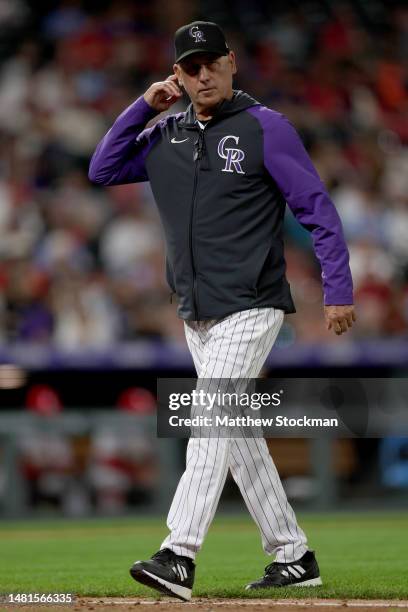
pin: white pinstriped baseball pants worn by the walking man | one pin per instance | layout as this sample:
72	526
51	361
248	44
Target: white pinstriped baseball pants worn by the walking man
233	347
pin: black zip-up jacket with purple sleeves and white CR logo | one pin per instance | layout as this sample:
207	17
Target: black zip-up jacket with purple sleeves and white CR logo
221	195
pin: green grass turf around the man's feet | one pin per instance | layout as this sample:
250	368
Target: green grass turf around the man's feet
360	555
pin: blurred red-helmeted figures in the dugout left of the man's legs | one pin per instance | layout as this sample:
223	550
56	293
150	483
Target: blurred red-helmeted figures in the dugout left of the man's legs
80	462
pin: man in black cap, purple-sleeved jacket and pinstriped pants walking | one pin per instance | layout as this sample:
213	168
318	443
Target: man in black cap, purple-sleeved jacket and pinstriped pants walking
221	174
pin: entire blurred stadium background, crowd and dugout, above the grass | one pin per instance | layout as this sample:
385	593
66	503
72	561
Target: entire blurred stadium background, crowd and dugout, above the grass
86	321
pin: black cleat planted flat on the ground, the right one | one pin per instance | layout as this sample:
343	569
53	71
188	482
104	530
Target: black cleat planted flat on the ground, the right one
303	572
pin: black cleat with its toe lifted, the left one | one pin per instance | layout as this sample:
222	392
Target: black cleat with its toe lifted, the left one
166	572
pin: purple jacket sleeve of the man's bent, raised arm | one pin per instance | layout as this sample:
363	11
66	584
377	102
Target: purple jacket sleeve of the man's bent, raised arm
120	156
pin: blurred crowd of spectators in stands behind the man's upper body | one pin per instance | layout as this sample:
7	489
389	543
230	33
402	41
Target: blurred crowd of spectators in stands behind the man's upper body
84	266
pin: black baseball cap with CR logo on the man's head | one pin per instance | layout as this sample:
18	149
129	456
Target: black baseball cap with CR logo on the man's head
199	37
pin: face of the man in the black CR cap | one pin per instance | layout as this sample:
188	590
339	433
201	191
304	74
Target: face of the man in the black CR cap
207	78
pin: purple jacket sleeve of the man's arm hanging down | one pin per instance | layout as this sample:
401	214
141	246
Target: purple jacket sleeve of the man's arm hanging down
290	166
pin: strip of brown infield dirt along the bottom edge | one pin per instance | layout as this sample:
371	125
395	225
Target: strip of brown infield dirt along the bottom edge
117	604
